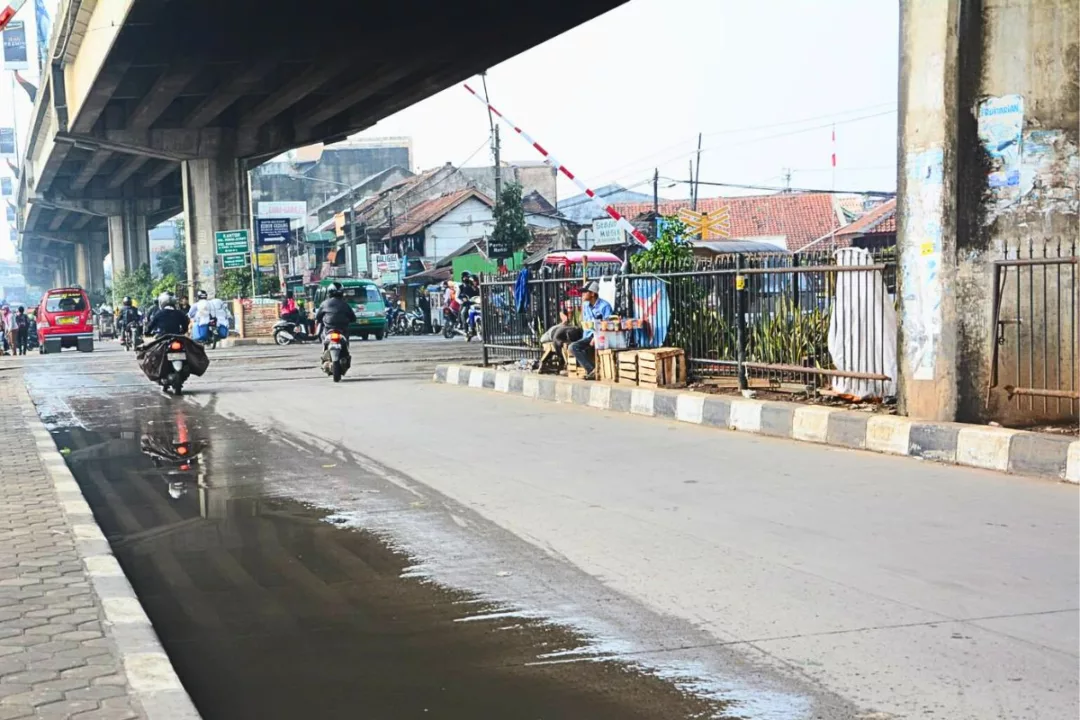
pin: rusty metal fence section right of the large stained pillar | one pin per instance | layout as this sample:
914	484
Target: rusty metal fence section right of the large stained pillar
1035	328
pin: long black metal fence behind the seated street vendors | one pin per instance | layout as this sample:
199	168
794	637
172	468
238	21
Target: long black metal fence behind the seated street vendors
753	321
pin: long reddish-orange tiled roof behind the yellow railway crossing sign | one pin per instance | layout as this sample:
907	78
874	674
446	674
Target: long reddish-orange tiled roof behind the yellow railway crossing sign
801	218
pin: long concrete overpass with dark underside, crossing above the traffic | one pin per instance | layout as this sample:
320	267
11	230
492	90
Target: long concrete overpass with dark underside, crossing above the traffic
153	107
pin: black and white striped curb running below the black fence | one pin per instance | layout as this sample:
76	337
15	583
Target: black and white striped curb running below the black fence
976	446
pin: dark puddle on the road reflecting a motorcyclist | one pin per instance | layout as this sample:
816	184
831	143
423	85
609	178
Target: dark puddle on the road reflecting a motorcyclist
271	610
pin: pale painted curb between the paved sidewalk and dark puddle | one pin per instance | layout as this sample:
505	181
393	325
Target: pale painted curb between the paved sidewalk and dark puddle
151	675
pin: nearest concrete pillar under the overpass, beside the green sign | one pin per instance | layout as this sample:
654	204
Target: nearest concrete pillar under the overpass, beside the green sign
215	199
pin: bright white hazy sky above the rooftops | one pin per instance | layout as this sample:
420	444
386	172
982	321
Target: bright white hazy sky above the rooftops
764	80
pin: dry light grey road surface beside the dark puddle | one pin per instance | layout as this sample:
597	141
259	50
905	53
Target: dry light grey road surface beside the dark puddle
792	580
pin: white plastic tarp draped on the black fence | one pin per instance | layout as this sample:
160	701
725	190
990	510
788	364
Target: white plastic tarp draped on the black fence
862	331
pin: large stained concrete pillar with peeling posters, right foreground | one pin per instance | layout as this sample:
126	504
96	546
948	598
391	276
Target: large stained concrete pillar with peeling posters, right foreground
970	196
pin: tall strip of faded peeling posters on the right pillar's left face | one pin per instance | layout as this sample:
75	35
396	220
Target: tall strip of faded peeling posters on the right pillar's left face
921	261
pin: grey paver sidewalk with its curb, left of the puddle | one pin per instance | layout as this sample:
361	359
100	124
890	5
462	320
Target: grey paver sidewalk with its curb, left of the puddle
74	640
